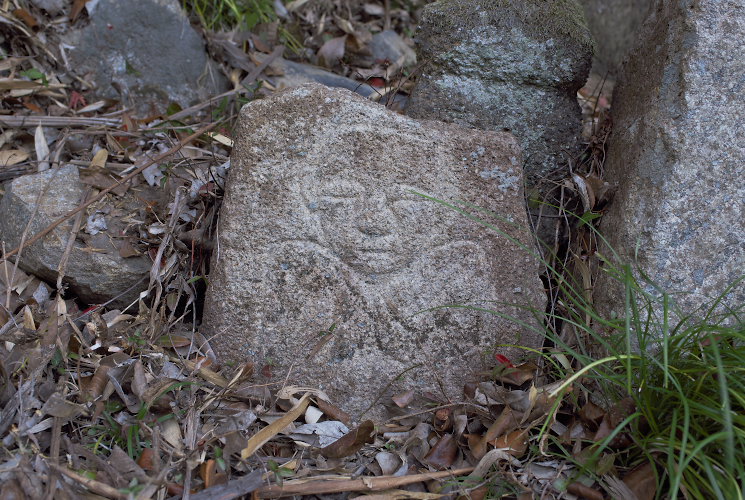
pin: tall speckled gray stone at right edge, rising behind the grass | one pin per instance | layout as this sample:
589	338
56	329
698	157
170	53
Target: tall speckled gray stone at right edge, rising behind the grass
677	153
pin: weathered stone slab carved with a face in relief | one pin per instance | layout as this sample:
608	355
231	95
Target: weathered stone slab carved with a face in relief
327	262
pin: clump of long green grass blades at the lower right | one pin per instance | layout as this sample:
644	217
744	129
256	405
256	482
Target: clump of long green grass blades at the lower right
687	390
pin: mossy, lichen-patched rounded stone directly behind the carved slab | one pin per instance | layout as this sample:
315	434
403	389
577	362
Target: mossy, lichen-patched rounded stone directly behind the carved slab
514	65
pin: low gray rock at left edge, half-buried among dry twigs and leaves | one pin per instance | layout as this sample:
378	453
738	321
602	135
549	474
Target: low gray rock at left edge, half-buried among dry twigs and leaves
95	273
